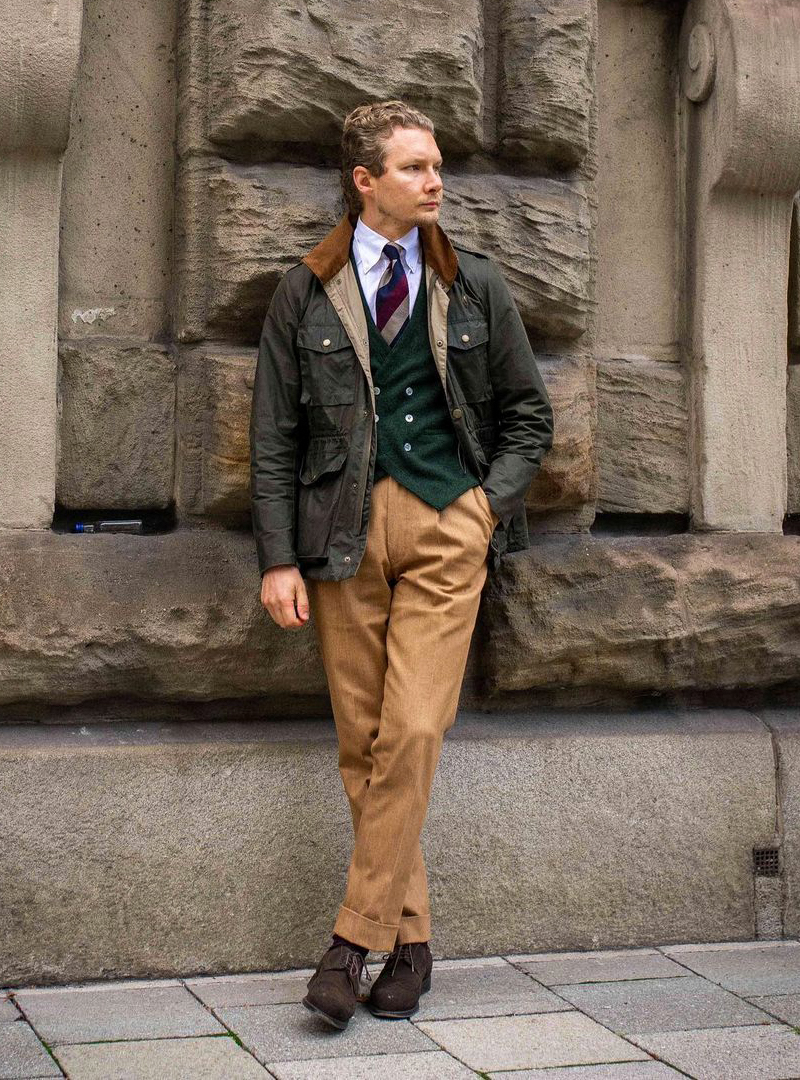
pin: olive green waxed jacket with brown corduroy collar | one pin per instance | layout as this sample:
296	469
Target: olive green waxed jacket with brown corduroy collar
313	420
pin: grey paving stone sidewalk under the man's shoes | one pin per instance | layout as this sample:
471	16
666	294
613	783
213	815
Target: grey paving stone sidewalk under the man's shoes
712	1012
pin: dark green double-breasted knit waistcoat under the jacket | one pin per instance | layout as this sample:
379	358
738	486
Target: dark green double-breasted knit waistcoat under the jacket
417	443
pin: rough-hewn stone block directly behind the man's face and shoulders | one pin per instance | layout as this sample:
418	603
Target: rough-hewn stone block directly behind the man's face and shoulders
259	221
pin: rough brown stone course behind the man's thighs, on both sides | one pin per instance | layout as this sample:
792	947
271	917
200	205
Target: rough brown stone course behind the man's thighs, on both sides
177	618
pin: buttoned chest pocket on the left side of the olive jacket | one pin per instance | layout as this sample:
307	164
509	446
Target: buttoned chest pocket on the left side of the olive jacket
329	366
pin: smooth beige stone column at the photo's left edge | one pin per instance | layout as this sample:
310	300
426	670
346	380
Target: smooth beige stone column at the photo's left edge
38	67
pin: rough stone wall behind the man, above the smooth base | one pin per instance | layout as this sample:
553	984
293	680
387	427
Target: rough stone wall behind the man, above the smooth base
632	168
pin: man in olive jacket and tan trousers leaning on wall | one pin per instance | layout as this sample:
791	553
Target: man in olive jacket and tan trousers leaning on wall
398	421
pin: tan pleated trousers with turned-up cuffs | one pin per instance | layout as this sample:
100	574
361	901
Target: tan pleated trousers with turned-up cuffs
395	641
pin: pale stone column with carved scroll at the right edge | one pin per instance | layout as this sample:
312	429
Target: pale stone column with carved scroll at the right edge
740	77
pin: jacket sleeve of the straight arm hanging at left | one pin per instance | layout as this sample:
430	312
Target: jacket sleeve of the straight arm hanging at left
275	434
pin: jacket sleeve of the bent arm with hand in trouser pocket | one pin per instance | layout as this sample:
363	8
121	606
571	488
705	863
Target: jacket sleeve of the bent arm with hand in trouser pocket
525	413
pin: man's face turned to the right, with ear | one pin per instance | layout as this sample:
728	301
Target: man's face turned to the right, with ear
410	192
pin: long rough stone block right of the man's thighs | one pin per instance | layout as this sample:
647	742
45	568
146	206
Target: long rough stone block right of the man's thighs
695	611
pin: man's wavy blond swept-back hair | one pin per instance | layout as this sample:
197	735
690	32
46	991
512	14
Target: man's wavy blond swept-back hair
364	138
